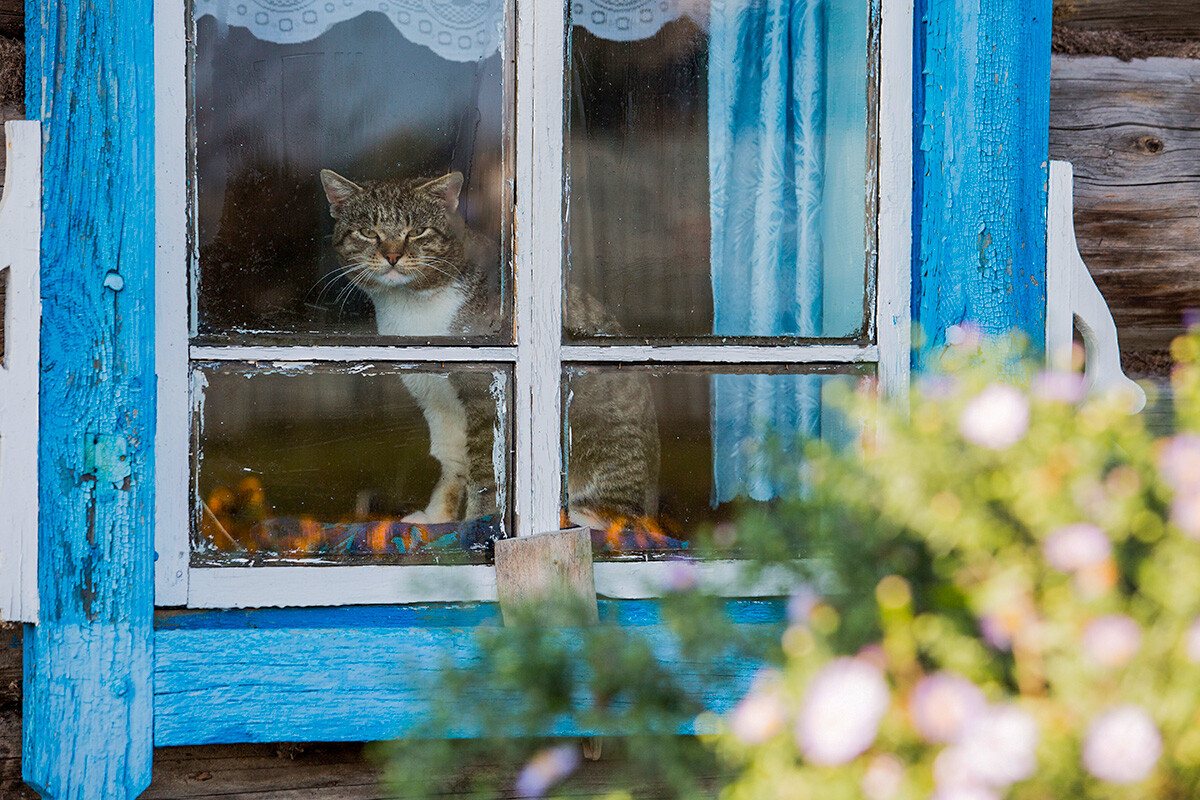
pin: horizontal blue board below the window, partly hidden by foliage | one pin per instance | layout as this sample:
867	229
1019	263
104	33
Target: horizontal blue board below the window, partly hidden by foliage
353	675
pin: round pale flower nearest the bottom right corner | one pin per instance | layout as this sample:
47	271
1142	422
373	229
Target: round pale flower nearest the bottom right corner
1123	745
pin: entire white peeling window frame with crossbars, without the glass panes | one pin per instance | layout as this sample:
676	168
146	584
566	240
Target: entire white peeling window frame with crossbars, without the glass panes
537	357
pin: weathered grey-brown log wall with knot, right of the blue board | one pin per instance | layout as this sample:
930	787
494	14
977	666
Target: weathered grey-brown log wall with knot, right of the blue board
1132	133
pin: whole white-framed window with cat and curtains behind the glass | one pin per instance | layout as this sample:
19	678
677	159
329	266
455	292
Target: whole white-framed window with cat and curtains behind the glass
682	224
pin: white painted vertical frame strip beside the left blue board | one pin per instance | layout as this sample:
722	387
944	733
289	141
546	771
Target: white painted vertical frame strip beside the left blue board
172	321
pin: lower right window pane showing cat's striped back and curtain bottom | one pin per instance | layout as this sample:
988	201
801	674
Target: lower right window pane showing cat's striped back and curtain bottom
657	455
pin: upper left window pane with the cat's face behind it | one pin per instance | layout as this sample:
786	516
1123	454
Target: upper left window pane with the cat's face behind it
388	98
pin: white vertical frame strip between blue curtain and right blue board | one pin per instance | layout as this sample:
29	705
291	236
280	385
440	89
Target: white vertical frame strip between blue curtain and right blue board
893	317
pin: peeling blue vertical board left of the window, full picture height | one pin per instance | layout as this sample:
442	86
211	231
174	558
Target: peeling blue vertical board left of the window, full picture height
89	663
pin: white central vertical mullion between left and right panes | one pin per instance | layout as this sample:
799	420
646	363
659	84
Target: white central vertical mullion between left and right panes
539	245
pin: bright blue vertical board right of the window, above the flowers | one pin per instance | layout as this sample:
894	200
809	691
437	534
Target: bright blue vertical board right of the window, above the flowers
982	127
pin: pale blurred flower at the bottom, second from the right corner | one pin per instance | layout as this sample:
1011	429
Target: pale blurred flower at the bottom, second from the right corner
999	748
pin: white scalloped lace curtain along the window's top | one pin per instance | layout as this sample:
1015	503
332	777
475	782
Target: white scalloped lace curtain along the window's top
458	31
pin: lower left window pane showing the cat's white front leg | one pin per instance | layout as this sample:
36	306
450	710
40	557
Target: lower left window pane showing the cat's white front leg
361	465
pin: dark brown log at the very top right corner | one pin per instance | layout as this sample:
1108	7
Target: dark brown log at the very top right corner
1174	20
